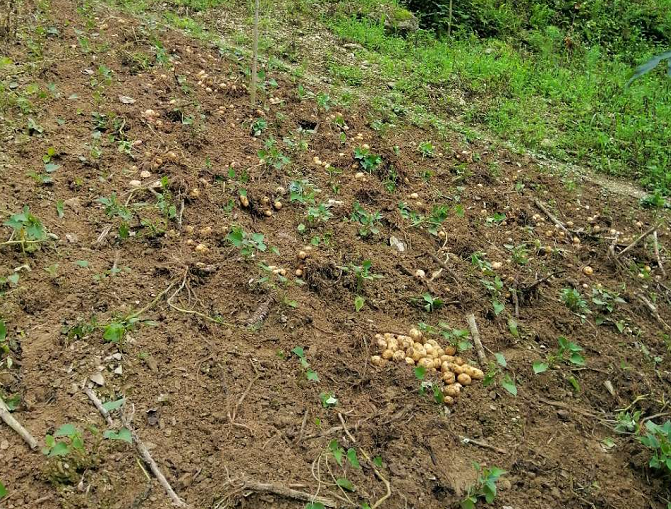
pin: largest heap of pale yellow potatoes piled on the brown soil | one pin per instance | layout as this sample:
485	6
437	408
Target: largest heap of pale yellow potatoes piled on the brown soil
414	350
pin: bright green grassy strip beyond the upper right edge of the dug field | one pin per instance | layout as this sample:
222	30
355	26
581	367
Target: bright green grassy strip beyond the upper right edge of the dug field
571	106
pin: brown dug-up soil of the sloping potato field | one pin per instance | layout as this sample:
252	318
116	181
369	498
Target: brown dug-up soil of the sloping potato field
209	373
